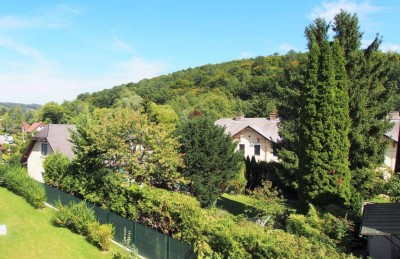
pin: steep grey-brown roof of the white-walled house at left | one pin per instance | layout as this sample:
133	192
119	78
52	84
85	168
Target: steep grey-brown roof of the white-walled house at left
58	136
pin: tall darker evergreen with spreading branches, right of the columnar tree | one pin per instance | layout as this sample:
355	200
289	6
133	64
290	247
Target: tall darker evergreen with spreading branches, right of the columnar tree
370	93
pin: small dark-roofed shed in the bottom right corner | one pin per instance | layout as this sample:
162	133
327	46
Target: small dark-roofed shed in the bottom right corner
381	225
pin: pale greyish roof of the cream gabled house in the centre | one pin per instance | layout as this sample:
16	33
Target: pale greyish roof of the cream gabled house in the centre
265	127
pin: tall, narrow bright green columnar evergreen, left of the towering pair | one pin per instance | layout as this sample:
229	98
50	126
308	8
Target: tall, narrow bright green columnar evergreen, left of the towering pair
324	123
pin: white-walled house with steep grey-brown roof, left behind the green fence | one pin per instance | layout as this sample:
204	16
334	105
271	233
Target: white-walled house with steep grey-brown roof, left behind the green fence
52	138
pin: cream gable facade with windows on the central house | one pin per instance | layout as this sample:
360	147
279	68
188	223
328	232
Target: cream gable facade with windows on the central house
254	144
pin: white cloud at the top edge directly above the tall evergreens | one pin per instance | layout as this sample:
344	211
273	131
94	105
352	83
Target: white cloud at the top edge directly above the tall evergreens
329	9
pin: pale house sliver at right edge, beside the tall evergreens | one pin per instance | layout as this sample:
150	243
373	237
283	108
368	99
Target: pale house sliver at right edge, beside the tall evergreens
392	136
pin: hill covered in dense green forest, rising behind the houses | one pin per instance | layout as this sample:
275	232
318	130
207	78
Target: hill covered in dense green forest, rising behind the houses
248	86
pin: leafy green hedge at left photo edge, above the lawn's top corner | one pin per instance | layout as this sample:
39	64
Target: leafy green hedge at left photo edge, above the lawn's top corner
17	180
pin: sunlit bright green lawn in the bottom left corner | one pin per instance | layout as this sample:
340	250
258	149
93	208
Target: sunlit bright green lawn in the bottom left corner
30	233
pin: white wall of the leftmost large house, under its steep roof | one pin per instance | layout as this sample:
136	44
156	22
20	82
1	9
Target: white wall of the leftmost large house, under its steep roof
35	162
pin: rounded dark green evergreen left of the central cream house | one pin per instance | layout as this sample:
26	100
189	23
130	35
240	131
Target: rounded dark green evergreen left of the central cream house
210	159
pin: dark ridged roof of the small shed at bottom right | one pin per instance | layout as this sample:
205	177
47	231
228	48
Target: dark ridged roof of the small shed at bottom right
381	219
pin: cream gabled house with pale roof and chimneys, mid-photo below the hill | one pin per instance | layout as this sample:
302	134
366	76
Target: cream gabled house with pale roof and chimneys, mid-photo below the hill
255	136
